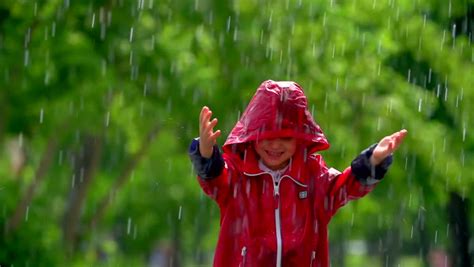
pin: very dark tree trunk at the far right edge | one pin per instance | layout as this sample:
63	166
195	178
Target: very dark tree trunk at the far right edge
458	215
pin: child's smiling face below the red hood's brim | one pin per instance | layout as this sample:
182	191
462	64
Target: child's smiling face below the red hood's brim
276	153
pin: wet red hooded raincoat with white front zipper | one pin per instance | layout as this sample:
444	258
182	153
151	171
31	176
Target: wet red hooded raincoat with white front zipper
284	223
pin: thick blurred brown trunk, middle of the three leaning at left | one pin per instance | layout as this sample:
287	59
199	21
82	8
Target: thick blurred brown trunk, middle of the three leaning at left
84	169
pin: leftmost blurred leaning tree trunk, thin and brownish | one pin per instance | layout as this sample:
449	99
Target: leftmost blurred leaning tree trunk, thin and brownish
46	159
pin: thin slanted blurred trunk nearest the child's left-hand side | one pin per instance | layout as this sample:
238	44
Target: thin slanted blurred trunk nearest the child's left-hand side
124	176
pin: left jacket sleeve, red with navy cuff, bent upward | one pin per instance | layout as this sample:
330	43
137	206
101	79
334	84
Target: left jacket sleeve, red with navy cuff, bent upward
213	174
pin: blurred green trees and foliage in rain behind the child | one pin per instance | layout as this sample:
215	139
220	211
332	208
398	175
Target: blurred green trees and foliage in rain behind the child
99	101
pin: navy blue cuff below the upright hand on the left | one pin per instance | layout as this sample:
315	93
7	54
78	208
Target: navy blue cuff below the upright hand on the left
204	167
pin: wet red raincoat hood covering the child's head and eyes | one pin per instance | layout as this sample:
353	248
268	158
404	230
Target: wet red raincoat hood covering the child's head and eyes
278	109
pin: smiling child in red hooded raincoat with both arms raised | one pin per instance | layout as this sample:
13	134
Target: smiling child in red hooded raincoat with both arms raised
276	196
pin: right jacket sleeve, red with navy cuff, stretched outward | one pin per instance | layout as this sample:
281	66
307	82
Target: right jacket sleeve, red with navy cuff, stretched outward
354	182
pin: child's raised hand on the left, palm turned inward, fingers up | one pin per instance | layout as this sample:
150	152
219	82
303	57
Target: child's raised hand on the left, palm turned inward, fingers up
207	136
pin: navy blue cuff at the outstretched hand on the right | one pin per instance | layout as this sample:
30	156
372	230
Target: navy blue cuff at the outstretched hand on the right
365	172
